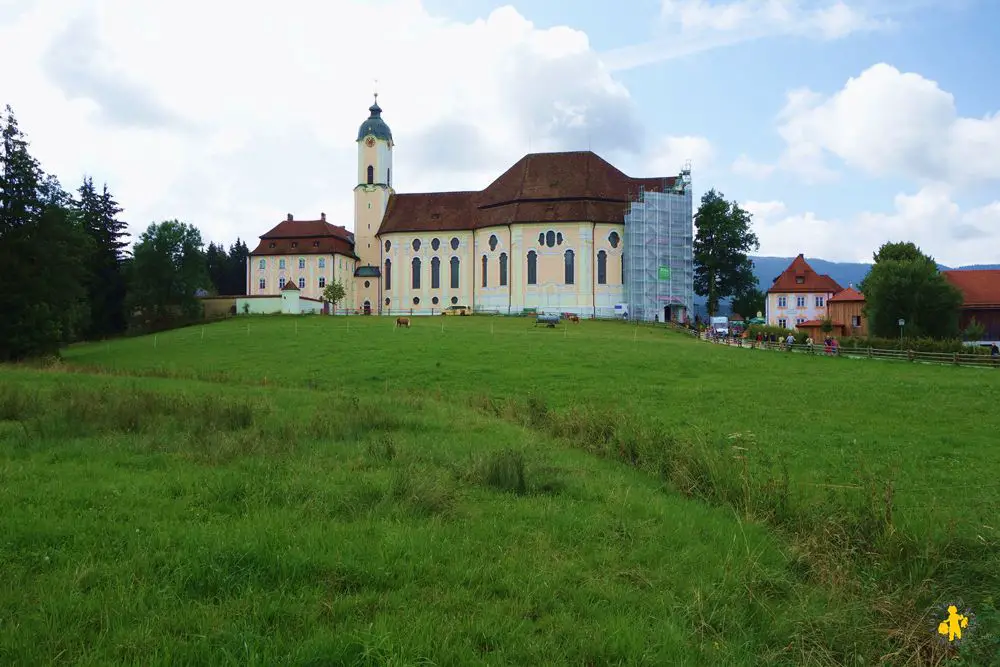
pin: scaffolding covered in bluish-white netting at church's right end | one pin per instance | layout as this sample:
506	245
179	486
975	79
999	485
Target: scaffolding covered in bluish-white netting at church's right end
659	252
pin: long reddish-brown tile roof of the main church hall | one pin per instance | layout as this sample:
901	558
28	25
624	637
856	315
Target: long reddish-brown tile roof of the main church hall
540	187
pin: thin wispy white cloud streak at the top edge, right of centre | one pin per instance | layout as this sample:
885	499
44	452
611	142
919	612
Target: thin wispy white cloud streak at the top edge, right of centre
693	26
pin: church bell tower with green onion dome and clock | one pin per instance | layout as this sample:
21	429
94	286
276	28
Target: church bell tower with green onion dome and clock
371	196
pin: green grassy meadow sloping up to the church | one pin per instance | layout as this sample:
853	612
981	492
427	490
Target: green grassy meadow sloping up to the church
337	491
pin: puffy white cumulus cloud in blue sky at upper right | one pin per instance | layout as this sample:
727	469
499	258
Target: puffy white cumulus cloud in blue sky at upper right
889	123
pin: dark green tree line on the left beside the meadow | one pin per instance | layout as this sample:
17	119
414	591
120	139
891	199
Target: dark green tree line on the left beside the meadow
69	274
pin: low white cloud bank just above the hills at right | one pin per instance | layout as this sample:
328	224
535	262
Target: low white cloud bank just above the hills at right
930	218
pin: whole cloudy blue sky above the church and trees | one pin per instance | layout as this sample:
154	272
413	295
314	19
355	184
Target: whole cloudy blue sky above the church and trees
839	124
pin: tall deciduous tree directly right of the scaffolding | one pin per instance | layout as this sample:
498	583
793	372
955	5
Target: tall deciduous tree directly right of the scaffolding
722	267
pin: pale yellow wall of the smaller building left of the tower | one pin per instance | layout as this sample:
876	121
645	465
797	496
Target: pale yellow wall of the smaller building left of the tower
337	267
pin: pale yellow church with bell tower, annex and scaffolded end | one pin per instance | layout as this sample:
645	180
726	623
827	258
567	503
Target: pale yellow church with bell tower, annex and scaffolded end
559	232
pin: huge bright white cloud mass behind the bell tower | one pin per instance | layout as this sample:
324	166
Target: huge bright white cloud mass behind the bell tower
235	118
